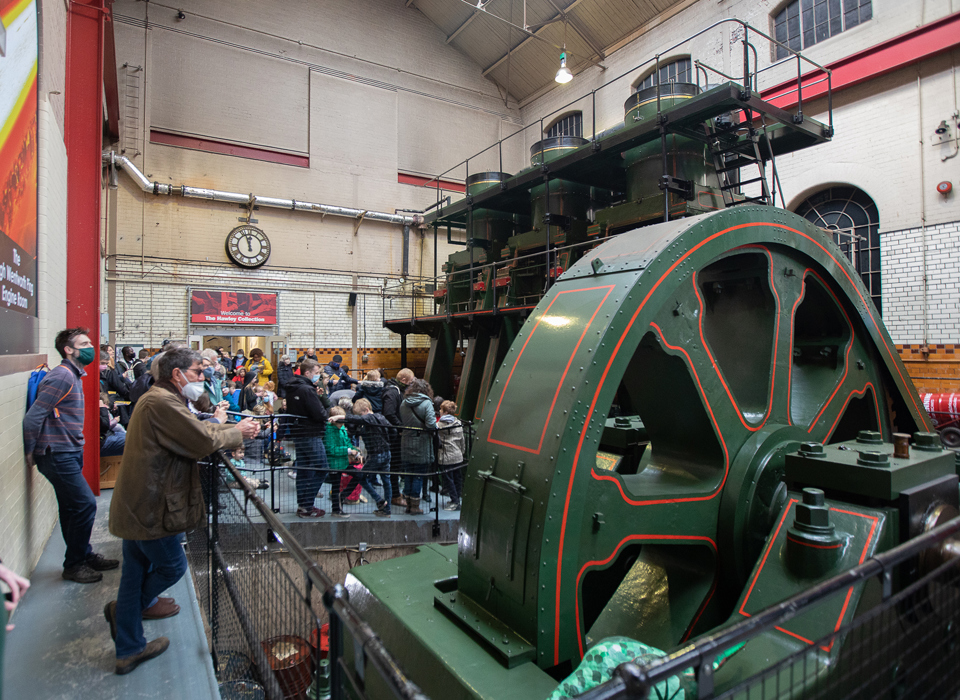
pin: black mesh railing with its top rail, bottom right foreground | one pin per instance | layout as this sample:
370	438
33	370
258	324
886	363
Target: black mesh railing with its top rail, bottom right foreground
905	647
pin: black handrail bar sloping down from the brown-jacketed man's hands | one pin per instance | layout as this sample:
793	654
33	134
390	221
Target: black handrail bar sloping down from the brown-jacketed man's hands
336	600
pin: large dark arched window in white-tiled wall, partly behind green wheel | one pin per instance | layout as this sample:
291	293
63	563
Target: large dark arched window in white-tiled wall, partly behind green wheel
851	216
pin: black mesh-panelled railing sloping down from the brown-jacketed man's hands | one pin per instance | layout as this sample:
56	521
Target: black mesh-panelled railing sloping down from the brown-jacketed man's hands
277	622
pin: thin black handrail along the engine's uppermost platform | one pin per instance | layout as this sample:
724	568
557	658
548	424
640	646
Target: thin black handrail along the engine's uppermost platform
747	27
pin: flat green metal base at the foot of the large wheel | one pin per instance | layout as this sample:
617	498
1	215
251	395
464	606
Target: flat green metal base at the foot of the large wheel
399	600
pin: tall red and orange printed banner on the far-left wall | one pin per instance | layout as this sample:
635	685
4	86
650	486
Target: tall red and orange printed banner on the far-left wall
18	176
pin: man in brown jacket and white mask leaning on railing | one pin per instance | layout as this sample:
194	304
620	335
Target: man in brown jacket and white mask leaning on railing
158	496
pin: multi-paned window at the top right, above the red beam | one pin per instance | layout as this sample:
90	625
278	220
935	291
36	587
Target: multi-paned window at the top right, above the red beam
803	23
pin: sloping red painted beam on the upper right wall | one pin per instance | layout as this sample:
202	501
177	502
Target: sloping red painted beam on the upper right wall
909	48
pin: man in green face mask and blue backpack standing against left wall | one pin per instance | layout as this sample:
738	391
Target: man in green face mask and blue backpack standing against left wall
53	440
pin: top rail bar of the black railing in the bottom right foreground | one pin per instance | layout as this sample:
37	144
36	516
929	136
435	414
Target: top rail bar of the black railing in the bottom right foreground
633	681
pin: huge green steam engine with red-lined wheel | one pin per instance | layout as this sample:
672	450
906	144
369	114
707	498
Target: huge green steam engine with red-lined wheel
659	367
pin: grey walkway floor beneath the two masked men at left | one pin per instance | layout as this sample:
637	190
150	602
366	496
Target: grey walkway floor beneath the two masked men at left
61	646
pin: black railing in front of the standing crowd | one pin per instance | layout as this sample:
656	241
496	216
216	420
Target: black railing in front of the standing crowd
294	474
